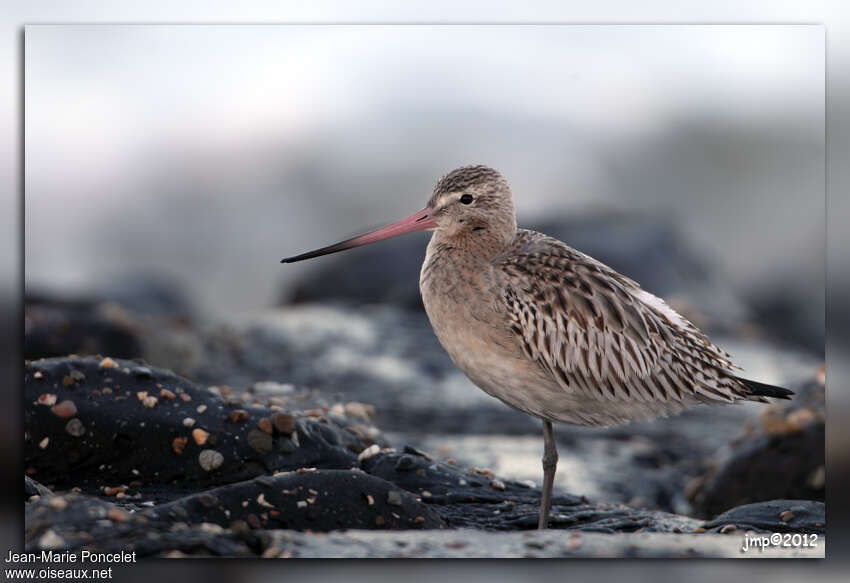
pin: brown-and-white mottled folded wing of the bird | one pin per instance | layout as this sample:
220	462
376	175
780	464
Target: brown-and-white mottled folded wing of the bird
595	330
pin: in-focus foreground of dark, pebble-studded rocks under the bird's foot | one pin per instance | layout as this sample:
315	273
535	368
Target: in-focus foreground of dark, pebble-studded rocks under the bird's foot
123	455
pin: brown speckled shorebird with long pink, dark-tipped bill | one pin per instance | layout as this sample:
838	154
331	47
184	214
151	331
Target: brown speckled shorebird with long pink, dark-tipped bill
549	330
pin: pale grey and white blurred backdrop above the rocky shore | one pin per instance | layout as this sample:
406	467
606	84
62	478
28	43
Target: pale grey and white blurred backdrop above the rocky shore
197	159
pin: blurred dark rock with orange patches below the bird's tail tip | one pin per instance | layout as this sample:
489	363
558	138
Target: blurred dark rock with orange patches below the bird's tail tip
781	457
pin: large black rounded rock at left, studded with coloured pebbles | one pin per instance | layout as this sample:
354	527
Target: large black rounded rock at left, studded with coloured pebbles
129	437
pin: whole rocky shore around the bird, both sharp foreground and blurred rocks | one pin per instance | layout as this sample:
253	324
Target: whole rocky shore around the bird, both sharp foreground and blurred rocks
336	426
